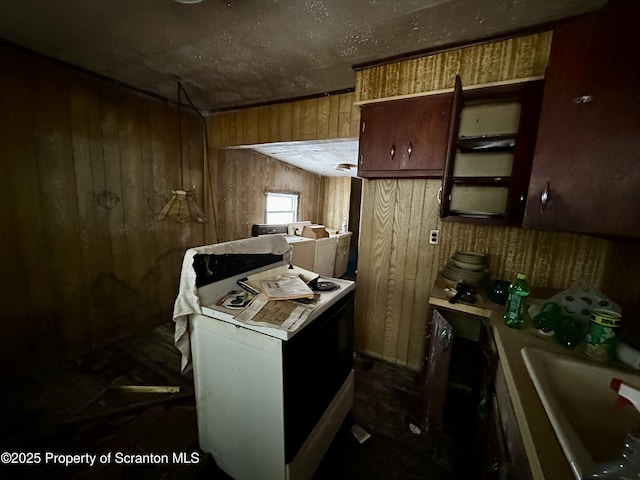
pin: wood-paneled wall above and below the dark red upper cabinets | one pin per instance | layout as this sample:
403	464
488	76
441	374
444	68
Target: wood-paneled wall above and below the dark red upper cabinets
396	266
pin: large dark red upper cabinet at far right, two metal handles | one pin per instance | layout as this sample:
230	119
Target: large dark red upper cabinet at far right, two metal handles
585	175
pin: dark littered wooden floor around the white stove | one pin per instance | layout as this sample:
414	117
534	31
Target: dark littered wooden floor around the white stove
75	409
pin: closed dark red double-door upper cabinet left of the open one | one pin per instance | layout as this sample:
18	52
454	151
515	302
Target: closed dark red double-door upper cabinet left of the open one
405	138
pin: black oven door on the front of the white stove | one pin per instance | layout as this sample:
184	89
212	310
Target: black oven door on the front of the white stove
317	361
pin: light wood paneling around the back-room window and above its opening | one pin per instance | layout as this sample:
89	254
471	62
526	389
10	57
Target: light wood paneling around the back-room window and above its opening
321	118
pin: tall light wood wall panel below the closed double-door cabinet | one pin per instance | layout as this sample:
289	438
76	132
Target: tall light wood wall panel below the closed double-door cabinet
396	267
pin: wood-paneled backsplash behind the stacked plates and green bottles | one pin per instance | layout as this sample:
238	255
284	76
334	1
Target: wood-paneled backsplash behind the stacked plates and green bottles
557	260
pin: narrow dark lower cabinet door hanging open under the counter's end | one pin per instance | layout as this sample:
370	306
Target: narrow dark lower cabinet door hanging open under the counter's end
438	358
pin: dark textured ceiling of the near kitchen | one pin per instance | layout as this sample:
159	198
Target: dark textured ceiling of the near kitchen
235	53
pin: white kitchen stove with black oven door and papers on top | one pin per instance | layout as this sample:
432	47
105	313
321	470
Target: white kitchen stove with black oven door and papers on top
258	413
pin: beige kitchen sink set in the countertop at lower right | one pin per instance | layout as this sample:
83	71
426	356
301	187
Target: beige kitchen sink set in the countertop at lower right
581	406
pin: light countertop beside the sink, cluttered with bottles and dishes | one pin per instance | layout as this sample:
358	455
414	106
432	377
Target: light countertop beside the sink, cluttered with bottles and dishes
543	450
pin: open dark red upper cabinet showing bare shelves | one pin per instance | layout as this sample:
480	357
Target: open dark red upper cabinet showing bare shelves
493	131
